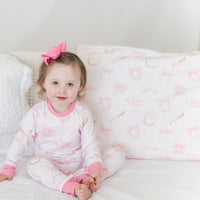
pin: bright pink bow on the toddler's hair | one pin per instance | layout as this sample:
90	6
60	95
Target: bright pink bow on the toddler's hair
54	53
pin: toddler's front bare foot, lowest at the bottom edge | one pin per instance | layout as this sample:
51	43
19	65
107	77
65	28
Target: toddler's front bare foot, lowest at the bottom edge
82	192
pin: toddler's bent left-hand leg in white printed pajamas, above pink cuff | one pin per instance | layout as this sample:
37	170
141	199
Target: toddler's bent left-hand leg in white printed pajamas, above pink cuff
45	172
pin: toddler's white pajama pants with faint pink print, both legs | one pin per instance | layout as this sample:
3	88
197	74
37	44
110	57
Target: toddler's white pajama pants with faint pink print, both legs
54	173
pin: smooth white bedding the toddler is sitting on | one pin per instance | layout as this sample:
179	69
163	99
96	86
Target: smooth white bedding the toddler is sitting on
137	180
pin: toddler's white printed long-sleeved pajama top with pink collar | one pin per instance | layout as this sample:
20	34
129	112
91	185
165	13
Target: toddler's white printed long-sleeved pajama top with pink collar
68	136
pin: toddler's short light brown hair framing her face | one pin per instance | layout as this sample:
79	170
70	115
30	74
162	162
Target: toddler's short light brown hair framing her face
67	58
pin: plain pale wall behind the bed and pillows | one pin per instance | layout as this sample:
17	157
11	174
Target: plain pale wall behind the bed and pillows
163	25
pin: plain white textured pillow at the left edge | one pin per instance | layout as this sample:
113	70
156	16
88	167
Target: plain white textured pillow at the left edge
15	79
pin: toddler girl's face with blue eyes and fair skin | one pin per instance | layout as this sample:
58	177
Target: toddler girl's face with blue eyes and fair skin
62	84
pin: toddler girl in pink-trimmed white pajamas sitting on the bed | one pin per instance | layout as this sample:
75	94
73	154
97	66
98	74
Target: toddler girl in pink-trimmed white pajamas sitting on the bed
67	156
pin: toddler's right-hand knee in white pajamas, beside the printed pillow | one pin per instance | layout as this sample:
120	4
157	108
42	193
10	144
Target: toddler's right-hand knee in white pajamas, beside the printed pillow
113	159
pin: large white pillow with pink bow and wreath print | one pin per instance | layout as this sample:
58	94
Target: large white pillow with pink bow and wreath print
145	102
